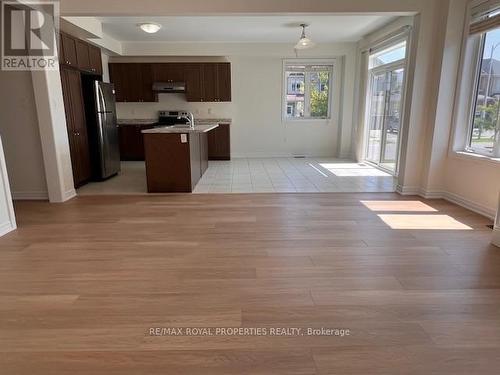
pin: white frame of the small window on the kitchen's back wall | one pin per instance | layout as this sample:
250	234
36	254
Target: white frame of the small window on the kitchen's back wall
332	89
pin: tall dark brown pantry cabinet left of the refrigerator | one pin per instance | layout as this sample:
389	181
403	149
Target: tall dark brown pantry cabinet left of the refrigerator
76	125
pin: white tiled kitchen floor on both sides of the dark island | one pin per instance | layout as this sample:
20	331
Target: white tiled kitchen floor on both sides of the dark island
280	175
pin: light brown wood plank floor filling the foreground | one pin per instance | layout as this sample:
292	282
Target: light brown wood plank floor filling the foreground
82	283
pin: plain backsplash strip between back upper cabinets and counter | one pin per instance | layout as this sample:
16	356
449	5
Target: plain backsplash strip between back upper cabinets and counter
173	102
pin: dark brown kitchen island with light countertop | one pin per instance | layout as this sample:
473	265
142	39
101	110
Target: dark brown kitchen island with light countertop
176	157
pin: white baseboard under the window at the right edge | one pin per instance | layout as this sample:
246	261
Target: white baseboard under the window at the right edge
450	197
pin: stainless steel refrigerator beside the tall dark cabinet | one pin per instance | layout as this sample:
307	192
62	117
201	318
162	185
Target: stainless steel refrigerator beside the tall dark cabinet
103	130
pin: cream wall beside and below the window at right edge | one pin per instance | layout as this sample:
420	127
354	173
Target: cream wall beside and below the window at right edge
470	181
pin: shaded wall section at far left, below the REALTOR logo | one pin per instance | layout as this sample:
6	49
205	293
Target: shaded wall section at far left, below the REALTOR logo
21	137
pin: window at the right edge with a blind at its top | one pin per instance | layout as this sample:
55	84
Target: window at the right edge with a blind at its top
483	131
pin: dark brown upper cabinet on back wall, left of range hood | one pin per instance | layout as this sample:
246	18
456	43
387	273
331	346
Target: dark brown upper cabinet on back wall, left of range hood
133	82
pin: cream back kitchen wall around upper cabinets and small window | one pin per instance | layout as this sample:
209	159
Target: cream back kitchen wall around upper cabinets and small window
256	108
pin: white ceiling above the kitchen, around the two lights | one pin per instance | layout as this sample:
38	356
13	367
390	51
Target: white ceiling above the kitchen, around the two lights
260	29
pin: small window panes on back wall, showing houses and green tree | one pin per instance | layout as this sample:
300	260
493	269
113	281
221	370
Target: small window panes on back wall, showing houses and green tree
307	91
